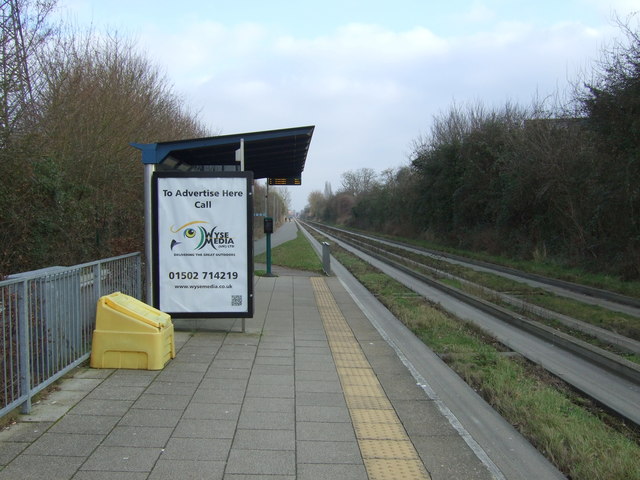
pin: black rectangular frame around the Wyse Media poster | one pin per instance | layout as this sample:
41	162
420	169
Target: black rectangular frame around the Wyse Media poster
156	258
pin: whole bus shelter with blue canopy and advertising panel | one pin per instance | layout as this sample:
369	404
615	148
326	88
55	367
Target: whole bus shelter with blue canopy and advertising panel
199	216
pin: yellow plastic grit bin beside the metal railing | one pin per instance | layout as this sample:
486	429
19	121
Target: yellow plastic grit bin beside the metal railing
131	334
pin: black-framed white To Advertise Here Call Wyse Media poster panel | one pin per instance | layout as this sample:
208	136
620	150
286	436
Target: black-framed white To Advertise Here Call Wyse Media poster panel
203	265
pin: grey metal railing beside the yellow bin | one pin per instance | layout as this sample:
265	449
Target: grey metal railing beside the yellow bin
47	318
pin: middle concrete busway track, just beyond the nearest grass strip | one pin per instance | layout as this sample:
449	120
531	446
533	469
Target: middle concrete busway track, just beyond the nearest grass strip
546	347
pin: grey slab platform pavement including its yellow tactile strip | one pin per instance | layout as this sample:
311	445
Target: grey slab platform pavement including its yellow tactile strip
309	391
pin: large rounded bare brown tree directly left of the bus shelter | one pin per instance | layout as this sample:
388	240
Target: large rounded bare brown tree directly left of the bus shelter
102	95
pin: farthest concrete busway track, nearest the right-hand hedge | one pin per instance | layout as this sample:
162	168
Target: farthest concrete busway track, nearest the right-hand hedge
582	293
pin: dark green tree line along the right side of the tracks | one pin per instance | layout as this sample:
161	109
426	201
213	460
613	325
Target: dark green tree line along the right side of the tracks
557	181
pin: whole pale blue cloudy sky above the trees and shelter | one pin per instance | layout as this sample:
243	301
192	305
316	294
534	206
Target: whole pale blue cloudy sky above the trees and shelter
370	75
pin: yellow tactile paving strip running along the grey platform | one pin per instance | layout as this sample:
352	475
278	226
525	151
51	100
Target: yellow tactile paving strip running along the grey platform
386	449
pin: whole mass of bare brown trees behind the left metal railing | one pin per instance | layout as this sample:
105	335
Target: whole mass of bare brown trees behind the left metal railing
71	102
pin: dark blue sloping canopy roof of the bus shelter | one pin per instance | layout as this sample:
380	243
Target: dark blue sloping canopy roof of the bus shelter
271	153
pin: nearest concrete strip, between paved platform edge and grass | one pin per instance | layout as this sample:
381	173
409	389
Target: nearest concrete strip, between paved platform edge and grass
506	453
